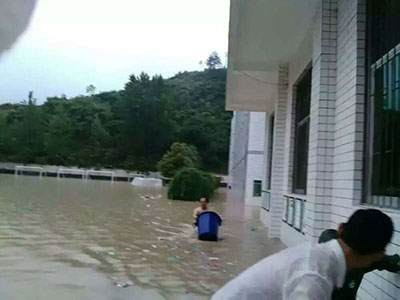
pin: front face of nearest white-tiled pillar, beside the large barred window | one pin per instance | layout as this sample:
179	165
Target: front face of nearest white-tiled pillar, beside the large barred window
350	104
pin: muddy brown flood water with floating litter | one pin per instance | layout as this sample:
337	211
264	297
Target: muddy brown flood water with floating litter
76	239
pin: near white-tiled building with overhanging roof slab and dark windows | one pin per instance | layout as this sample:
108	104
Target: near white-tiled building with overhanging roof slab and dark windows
327	75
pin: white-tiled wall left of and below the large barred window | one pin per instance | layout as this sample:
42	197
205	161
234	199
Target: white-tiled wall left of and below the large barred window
349	139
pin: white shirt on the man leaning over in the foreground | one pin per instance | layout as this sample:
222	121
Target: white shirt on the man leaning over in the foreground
304	272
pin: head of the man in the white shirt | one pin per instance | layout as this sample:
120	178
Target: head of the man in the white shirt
365	237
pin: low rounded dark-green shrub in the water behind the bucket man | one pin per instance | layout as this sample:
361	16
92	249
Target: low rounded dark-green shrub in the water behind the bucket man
191	184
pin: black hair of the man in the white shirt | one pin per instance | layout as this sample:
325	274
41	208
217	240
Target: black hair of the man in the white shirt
367	231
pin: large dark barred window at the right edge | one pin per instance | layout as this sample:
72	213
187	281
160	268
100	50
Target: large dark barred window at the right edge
382	178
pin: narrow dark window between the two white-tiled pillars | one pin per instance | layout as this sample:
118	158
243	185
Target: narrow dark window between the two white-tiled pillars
302	124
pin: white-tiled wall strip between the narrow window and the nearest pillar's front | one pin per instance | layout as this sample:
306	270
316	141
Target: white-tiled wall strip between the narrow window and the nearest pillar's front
322	120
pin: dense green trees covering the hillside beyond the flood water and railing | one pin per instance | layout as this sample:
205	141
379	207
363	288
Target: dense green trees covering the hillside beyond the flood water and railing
128	129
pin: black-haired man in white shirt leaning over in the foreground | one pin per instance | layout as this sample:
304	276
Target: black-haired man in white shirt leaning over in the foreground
307	272
